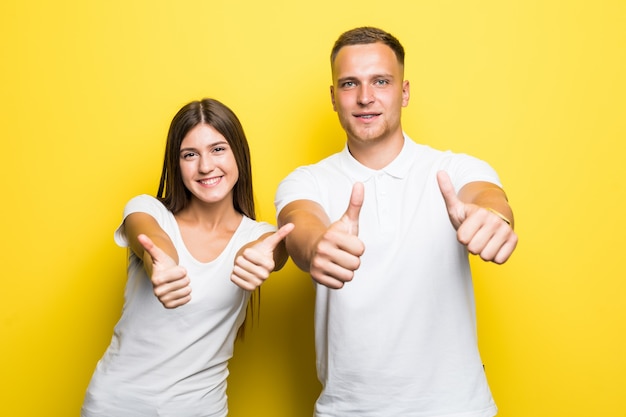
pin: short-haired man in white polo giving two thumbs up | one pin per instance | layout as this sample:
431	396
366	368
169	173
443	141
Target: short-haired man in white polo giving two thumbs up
384	228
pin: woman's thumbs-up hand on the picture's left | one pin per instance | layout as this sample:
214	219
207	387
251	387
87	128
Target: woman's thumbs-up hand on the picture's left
169	280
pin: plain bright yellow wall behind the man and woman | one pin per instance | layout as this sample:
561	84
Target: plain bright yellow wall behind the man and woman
535	87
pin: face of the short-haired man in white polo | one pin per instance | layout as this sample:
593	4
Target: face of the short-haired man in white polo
368	92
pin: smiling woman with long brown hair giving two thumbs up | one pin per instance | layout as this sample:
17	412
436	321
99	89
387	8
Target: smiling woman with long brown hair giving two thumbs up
196	255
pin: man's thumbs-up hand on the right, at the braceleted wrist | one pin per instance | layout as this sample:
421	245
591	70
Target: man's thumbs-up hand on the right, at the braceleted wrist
482	231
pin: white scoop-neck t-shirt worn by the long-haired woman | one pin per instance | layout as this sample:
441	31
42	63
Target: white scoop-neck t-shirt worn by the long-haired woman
172	362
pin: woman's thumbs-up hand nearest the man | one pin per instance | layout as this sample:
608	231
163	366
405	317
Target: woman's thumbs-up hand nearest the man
256	261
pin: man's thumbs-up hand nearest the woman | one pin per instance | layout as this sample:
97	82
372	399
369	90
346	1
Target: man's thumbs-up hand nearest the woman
338	251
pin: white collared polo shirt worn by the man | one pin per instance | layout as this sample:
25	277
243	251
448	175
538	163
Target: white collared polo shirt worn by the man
399	340
